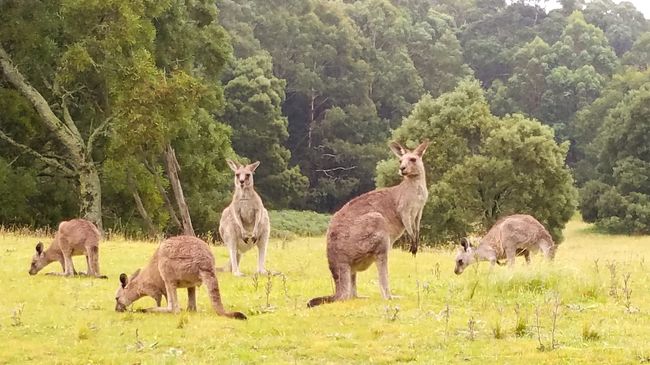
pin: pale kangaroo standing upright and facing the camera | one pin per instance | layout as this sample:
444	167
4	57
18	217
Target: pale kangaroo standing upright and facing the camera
245	222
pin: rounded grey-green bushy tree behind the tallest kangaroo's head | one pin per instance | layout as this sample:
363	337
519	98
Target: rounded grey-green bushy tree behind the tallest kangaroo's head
481	167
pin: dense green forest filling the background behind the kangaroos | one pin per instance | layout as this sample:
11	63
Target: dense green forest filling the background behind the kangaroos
125	111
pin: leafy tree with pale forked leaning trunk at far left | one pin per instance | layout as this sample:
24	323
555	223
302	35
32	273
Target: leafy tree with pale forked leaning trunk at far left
71	77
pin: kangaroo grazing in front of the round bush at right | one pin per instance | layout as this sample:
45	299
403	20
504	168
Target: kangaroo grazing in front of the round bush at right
511	236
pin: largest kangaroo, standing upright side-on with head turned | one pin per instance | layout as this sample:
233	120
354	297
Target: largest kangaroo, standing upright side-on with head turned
363	231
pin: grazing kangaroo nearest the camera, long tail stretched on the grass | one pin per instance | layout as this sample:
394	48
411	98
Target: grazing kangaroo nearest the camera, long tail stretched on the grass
179	262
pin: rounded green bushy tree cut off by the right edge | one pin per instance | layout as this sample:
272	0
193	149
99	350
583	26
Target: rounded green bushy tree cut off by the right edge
618	198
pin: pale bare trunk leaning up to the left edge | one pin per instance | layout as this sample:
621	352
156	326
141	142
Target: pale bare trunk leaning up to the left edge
68	135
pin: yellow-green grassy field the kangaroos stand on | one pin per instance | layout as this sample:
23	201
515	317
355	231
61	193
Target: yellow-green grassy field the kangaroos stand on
591	306
